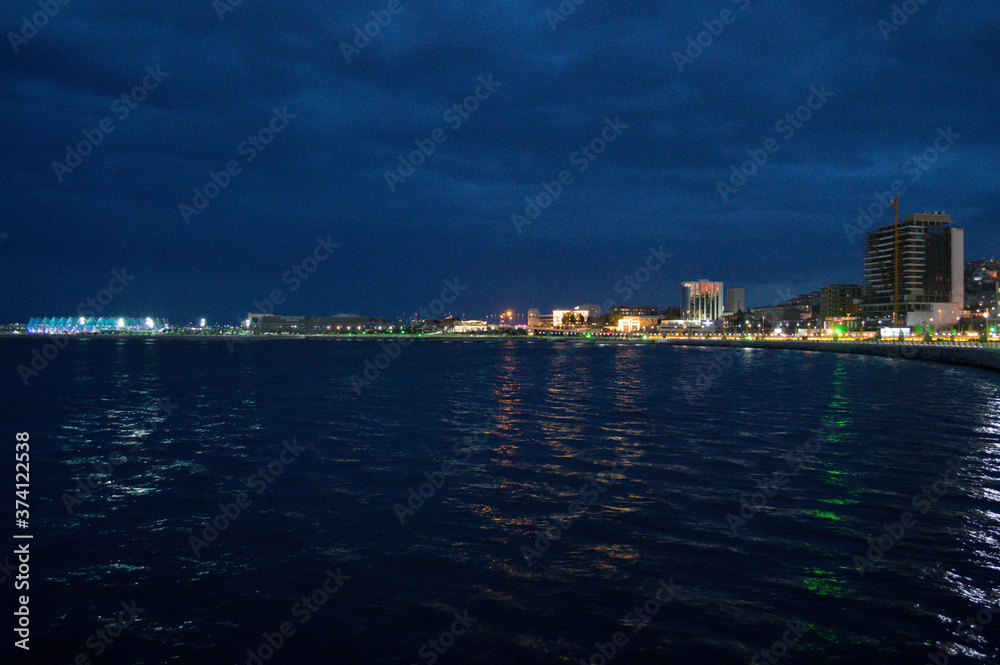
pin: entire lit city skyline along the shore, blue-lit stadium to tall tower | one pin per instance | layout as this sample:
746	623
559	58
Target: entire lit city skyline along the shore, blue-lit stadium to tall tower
915	280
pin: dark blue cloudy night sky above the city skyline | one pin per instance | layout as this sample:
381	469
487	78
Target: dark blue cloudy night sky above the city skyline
205	148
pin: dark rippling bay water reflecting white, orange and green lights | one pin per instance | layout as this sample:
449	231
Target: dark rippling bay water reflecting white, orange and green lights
620	503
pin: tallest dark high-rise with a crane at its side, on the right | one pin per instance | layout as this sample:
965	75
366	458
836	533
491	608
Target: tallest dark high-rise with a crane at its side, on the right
916	272
